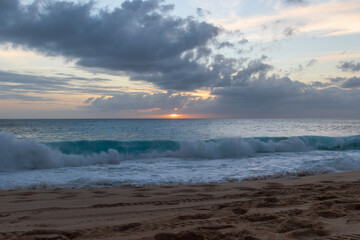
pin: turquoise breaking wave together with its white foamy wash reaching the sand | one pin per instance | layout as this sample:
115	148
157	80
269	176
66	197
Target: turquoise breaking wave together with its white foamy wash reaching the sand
26	163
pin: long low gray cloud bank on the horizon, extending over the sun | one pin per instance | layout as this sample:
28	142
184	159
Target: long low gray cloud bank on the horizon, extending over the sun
257	97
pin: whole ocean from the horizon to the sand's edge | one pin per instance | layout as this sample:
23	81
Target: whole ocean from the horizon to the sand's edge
37	154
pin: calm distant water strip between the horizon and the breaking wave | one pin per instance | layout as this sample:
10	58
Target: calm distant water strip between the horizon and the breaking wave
175	129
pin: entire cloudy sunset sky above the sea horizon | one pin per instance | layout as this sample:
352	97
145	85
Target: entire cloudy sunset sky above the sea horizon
180	59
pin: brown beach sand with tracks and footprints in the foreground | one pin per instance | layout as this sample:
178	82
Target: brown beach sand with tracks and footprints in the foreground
315	207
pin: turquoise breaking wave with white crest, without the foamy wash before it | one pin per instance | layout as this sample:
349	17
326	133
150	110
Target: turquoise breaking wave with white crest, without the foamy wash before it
18	154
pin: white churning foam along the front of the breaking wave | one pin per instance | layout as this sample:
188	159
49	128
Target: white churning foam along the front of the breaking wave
29	154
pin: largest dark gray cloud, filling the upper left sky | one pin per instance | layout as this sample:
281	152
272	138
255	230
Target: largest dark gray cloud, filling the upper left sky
140	38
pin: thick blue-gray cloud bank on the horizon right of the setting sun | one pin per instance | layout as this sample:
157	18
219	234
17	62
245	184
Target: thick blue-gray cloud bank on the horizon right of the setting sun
275	97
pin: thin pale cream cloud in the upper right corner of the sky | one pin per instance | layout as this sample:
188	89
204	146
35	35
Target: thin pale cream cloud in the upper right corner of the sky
320	18
